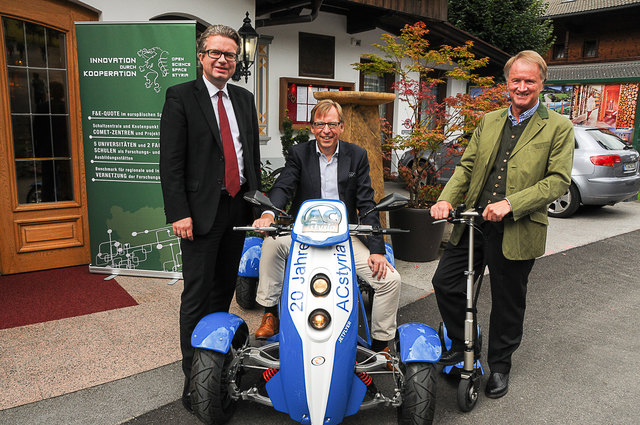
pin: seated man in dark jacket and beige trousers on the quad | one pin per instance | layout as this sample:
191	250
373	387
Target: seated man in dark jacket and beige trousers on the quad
329	168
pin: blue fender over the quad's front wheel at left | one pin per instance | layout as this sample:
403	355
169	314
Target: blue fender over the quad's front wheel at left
215	331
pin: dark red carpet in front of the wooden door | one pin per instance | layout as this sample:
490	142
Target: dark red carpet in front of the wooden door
36	297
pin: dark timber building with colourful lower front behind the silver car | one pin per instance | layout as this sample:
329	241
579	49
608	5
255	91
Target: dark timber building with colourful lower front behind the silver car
594	65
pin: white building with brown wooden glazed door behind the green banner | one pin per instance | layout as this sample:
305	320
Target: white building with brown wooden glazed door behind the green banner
44	222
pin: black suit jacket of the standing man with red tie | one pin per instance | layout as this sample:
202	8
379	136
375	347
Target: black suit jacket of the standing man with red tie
191	154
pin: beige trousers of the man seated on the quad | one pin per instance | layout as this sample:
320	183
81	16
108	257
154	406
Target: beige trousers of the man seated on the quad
386	291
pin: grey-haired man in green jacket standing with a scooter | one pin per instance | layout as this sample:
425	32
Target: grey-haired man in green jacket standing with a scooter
517	162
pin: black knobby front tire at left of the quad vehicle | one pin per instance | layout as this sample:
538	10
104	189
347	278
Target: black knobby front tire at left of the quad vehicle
210	398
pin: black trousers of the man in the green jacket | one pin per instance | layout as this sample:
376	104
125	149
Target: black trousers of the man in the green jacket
508	293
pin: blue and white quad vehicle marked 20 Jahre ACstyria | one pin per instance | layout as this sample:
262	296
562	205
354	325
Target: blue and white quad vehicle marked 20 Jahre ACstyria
318	369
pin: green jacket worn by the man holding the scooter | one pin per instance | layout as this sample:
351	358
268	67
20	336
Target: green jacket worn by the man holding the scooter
539	171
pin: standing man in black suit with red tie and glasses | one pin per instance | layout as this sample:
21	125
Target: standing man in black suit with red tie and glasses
209	156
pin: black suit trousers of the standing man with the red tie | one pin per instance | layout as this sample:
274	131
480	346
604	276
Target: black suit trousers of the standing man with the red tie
210	268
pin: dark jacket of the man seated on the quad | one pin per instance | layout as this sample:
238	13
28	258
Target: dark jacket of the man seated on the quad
300	180
